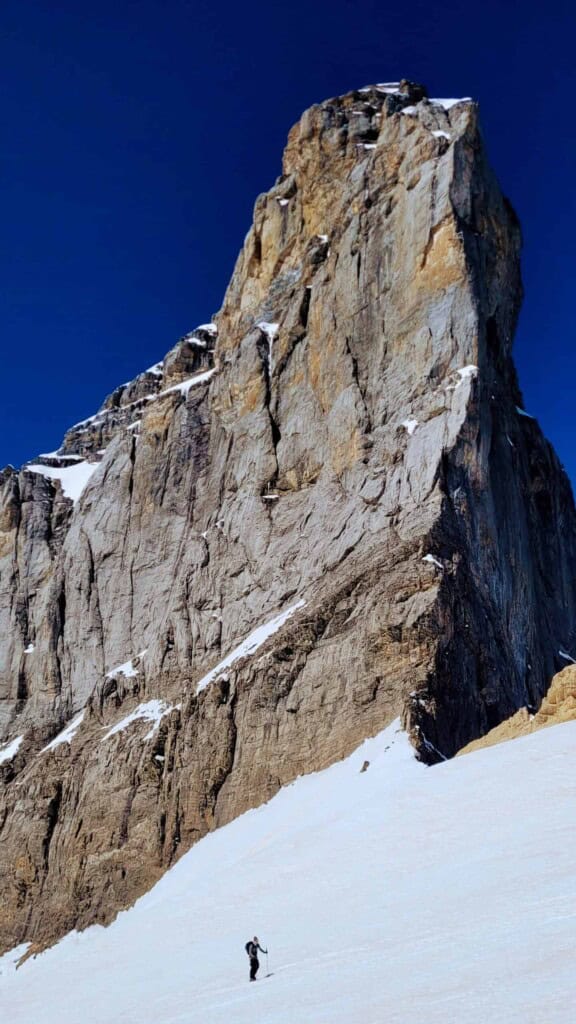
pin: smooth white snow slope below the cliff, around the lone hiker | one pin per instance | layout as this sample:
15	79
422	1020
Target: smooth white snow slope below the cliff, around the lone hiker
401	894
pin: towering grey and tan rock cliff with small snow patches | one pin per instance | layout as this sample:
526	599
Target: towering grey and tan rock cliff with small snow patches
324	510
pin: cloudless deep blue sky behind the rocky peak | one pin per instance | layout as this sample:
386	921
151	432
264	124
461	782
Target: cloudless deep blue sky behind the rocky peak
138	135
